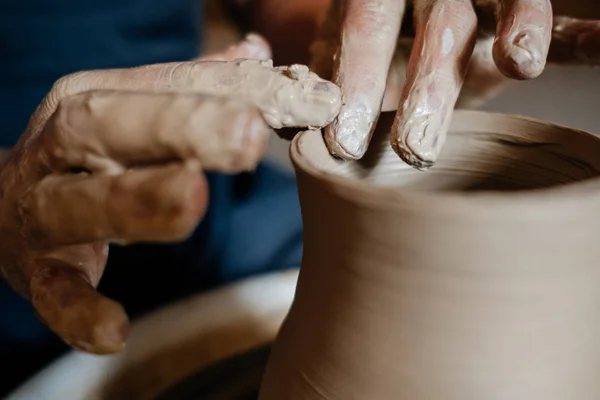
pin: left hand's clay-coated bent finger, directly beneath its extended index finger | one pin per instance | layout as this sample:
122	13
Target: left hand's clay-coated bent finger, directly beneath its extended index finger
107	132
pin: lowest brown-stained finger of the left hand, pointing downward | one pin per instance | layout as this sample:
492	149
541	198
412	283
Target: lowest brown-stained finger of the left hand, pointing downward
66	300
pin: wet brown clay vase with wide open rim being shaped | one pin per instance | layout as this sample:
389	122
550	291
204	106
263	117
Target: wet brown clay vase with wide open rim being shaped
476	280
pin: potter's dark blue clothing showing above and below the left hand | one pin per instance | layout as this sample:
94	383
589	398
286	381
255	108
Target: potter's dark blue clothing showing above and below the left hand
253	223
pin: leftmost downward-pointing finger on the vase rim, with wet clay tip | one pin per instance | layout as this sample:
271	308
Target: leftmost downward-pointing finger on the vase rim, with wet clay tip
368	36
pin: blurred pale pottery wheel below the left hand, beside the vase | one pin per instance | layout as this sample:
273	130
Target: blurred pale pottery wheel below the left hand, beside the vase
212	346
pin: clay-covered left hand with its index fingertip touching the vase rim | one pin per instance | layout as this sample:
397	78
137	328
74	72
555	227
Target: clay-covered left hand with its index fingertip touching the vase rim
117	155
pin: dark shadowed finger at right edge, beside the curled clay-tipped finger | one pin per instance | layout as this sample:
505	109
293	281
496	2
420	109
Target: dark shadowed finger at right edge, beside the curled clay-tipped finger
575	41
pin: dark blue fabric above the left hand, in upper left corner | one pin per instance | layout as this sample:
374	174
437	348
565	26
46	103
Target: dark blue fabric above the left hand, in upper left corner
42	40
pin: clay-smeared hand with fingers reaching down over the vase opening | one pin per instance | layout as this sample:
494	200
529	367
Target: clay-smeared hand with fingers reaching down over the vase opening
363	34
